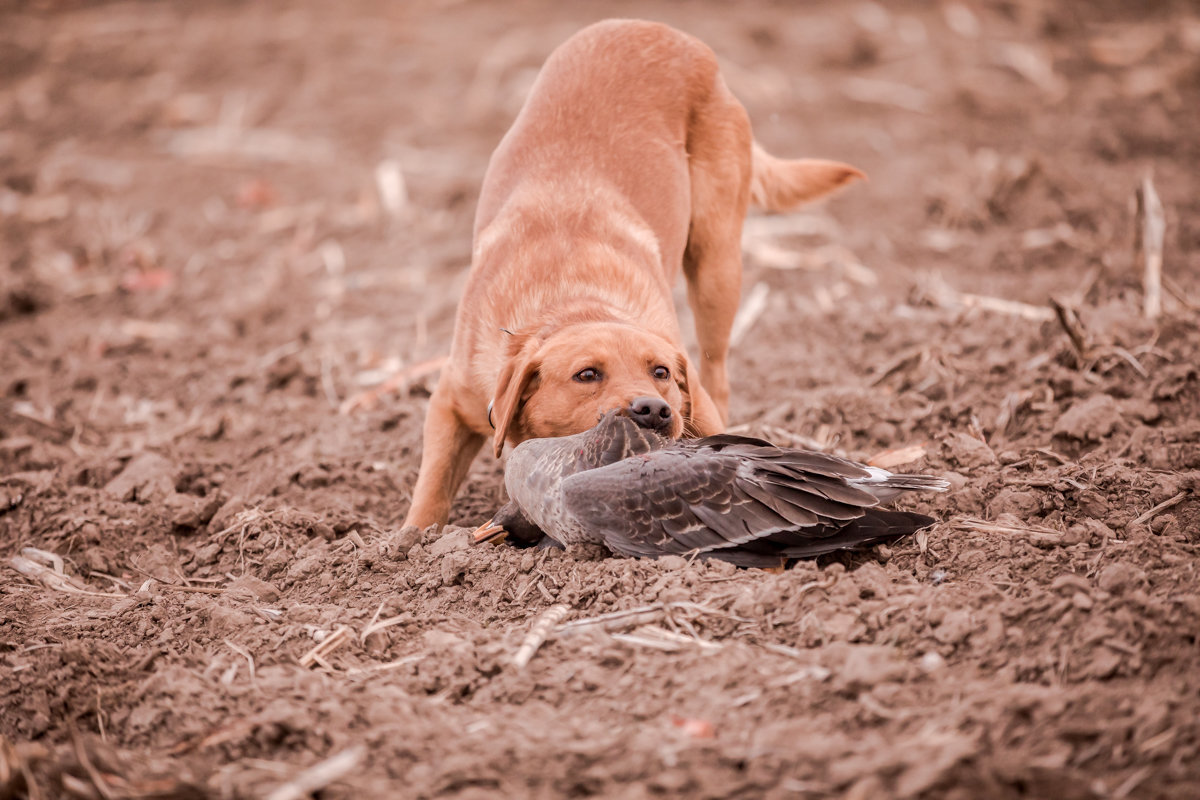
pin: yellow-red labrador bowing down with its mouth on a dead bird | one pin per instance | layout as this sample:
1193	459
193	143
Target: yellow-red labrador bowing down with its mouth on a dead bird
629	161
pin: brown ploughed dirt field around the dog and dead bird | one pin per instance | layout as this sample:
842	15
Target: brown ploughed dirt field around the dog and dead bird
197	269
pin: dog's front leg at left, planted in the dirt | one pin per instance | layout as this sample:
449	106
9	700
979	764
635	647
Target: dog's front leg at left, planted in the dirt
451	446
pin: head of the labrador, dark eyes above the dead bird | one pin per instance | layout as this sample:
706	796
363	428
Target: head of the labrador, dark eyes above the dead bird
562	382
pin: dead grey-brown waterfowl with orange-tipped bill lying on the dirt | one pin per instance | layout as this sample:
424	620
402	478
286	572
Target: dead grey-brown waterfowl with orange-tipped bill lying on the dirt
727	497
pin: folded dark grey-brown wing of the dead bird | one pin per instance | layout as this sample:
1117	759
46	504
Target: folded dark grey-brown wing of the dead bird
741	501
